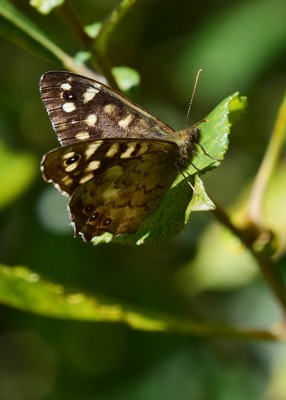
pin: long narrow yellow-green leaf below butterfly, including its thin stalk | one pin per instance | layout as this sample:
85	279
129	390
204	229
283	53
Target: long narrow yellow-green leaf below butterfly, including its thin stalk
27	291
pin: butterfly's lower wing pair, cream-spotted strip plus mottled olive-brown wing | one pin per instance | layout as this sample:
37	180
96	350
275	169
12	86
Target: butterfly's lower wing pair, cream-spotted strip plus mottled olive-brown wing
113	184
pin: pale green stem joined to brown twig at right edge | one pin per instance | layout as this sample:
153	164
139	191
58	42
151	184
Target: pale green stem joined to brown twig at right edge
252	234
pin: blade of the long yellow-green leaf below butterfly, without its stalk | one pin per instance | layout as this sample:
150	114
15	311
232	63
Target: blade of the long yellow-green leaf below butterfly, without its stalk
26	290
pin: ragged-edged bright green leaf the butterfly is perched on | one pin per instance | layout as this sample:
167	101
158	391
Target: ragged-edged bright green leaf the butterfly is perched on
174	211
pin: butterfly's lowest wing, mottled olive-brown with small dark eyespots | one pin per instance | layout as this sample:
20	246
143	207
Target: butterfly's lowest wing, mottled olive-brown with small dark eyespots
122	196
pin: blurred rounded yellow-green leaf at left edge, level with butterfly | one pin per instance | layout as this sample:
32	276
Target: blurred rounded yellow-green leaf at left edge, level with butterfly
17	172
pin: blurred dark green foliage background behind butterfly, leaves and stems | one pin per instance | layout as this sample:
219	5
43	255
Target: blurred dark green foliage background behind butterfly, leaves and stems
203	272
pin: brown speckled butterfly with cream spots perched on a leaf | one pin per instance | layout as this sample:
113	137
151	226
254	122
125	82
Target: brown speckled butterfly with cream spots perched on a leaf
116	162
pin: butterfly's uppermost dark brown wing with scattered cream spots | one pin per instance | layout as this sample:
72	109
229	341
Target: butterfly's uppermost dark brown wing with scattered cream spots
83	109
